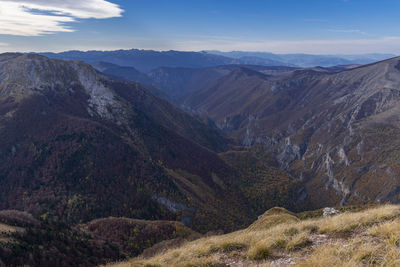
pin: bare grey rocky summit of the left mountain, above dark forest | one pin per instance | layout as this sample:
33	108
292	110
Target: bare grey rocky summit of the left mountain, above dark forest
24	75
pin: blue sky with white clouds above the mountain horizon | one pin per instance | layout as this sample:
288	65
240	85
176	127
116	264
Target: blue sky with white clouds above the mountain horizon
277	26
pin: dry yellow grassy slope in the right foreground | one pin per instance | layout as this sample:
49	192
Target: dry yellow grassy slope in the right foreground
366	238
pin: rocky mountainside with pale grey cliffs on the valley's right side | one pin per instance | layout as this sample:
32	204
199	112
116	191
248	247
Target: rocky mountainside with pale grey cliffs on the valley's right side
336	131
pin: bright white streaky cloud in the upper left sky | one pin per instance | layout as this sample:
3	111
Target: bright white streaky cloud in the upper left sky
39	17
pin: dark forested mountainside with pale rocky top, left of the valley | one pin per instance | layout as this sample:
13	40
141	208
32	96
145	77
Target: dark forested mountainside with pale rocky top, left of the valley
77	146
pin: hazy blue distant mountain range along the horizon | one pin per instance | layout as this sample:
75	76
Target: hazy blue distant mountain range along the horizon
147	60
